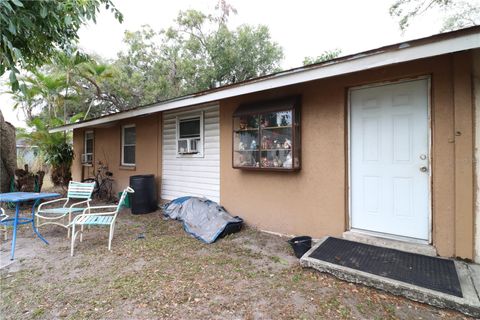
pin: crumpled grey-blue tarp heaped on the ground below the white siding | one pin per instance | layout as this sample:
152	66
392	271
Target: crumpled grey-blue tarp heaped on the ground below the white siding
202	218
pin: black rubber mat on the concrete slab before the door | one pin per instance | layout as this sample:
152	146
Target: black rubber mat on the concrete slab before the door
423	271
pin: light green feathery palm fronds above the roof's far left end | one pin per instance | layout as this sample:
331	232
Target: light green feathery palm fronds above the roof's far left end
72	84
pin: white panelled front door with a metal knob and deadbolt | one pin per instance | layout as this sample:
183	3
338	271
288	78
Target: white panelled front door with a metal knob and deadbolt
389	159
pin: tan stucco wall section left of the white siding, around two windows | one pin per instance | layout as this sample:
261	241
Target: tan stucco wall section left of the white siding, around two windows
107	149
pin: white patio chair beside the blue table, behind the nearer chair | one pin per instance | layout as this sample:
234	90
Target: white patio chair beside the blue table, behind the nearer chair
76	191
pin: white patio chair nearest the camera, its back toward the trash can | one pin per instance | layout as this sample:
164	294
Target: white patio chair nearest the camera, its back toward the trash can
104	217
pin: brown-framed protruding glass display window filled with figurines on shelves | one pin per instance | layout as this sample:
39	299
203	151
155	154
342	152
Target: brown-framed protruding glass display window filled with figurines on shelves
266	135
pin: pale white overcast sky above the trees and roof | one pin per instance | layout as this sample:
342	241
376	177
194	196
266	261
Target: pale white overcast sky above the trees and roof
303	27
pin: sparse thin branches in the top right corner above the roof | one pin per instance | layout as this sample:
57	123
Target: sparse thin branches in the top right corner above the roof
457	14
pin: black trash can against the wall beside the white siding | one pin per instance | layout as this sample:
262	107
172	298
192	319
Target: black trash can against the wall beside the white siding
144	200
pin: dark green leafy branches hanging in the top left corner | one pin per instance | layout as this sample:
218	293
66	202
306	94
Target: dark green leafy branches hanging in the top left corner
33	31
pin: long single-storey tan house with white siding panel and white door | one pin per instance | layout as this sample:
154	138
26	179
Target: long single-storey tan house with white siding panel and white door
382	142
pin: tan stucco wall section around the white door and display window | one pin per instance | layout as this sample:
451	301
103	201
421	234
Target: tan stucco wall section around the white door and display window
314	200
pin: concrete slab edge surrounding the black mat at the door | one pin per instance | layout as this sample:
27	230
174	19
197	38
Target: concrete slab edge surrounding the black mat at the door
468	275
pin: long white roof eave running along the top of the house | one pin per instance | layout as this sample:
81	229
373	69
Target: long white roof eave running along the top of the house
403	52
